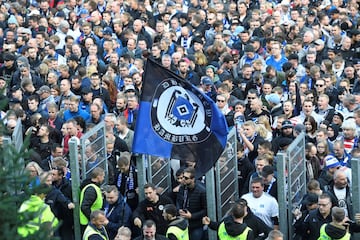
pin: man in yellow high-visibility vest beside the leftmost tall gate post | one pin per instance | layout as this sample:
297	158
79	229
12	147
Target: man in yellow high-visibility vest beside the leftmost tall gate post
91	198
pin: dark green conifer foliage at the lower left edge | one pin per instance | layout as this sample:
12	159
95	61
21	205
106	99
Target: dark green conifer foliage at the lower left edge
14	190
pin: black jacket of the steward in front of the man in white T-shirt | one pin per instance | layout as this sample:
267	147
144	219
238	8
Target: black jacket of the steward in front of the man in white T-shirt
233	228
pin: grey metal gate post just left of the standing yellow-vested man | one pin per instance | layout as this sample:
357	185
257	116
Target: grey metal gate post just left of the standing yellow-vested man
75	184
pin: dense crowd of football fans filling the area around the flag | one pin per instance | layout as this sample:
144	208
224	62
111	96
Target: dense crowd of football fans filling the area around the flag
274	68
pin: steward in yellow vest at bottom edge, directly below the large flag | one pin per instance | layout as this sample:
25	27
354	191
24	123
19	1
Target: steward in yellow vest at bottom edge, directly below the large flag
178	228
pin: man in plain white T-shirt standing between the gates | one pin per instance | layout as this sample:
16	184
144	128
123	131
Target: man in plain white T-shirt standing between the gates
262	204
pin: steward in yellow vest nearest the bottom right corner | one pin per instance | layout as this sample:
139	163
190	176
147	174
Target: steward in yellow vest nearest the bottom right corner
335	229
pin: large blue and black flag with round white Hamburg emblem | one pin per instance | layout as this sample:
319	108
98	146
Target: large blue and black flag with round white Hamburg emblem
176	120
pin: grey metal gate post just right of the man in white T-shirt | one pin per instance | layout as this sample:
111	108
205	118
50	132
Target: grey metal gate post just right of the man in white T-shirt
282	195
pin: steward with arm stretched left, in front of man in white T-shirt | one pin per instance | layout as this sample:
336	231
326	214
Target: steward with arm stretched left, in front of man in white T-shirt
233	226
